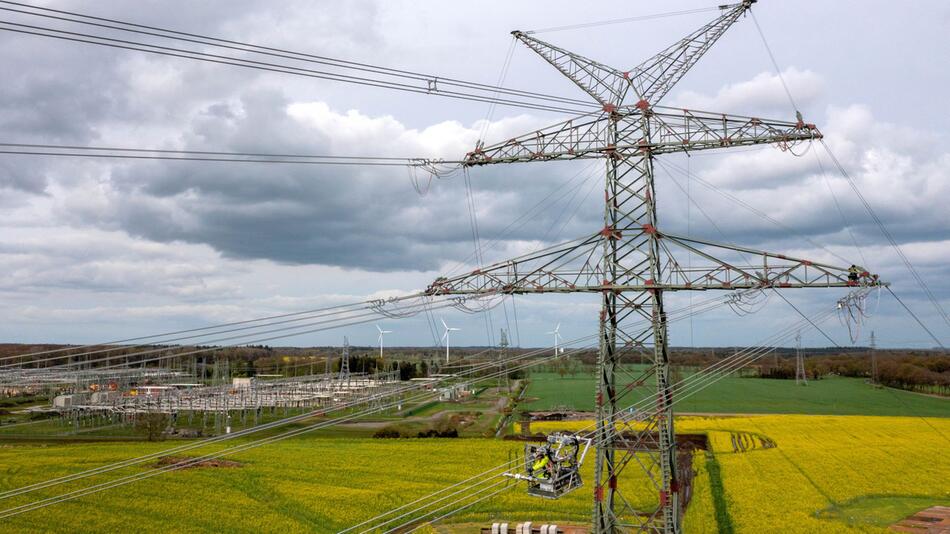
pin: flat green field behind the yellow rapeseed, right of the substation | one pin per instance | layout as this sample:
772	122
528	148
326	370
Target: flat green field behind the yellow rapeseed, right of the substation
829	396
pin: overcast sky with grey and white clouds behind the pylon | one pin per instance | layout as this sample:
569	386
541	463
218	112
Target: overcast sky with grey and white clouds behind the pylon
101	249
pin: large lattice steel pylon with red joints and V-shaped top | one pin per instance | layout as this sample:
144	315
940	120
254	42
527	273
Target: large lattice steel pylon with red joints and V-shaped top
630	262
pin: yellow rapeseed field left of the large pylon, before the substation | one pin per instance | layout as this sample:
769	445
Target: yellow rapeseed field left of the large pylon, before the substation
298	485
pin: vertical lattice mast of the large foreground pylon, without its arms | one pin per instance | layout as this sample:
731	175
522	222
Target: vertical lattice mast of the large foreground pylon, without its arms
631	253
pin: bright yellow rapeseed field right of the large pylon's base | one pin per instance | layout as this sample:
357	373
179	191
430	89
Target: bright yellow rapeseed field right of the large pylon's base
825	473
